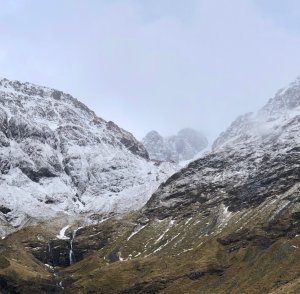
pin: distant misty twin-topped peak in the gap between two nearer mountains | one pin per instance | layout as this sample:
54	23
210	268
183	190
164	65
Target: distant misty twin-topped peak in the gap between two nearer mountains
183	146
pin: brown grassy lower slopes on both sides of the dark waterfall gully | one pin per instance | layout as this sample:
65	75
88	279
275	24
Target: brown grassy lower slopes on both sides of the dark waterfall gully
247	252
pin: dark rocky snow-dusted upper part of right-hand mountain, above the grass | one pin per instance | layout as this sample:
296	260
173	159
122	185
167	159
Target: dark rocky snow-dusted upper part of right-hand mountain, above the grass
255	160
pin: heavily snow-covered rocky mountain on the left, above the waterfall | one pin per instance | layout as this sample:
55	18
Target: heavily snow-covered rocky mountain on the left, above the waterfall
57	156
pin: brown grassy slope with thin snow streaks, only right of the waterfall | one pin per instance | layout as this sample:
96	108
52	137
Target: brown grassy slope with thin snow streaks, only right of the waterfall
192	259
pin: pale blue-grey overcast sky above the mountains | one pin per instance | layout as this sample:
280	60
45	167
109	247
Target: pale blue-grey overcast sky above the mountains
155	64
